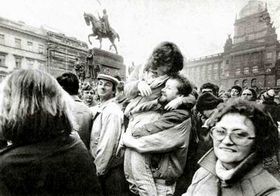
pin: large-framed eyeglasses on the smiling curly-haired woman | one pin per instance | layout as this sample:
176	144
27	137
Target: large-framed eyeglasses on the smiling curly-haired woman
239	137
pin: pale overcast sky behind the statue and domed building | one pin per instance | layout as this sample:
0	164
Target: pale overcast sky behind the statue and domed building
198	27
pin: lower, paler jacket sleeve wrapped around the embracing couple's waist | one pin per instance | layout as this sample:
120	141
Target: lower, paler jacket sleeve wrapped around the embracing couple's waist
164	141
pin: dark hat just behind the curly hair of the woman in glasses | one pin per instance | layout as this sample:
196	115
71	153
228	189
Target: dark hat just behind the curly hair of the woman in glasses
207	101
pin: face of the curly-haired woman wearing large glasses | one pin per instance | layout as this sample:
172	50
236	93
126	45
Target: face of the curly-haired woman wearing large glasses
237	129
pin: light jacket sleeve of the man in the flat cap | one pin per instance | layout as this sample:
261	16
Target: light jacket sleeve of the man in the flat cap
109	139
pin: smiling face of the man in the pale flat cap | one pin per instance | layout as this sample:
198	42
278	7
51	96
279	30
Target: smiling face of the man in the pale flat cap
105	89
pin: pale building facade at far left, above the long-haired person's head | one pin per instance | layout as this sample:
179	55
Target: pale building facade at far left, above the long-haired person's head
21	46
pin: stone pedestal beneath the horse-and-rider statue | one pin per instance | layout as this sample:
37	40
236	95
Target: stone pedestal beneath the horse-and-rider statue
101	61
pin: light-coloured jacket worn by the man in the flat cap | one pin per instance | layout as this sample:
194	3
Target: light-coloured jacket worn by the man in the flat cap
106	132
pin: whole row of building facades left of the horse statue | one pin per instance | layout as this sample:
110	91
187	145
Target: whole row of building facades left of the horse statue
24	46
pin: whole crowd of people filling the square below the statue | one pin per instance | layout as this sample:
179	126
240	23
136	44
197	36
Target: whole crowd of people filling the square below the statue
155	134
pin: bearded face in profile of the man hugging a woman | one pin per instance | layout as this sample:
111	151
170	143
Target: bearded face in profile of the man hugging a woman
170	91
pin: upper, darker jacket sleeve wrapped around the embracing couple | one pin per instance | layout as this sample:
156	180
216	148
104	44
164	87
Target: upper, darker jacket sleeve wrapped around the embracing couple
166	121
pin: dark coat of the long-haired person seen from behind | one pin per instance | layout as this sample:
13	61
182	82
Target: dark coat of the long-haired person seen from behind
60	166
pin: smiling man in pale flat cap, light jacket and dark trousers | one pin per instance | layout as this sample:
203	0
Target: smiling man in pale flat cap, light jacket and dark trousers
105	136
